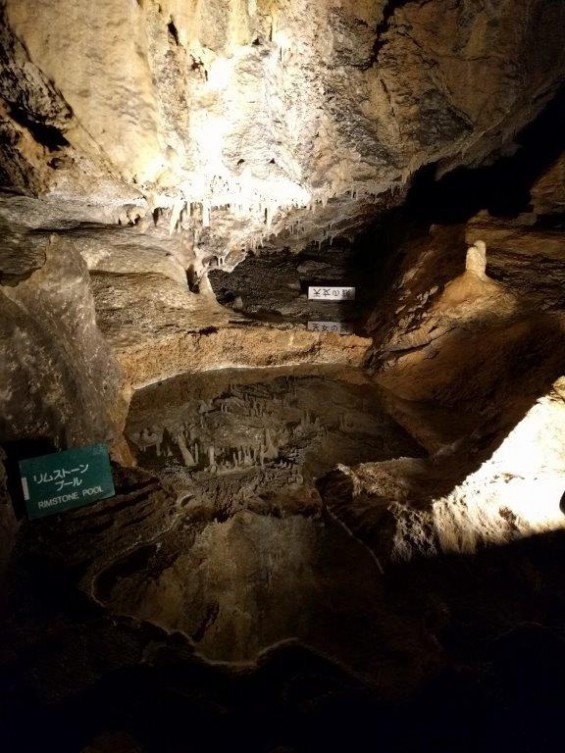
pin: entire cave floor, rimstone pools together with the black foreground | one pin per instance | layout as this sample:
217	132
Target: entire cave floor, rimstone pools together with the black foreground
216	604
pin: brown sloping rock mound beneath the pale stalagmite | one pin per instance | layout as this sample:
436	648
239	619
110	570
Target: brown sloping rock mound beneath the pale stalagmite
465	338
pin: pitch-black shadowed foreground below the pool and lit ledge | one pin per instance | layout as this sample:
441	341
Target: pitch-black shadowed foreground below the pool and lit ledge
495	619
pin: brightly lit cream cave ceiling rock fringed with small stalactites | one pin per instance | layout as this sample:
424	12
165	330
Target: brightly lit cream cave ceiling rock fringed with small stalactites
228	119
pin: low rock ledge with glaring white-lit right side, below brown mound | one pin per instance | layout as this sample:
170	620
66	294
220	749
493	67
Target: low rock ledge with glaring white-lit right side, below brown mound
463	497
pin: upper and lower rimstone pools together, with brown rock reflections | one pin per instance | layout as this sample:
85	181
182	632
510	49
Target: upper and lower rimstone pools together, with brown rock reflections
249	558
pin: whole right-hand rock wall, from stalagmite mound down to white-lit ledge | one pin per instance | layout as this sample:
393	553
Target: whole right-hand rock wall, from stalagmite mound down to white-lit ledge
469	344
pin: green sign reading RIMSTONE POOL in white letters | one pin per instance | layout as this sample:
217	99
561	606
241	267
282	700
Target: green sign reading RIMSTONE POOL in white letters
63	480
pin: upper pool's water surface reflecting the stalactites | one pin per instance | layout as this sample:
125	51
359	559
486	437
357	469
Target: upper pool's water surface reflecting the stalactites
239	434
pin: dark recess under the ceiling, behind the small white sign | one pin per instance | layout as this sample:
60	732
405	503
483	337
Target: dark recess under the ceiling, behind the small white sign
272	286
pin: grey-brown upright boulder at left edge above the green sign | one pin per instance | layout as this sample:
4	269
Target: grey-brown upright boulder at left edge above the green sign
58	379
